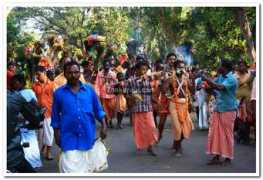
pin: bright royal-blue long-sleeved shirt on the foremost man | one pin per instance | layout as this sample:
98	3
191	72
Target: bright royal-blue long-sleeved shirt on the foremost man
74	114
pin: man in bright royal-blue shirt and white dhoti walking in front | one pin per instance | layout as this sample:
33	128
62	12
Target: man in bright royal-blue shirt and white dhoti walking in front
74	110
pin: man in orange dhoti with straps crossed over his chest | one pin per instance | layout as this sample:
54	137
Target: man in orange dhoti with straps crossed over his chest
179	102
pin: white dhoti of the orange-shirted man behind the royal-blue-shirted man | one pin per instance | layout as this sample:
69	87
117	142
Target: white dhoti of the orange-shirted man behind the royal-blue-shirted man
47	133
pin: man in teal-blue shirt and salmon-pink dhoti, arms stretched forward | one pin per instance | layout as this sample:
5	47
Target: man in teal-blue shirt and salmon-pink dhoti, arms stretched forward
220	136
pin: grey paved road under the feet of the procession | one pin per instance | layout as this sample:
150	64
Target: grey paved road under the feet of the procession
125	159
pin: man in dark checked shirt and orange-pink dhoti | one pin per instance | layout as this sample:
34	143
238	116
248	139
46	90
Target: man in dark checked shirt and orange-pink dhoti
144	130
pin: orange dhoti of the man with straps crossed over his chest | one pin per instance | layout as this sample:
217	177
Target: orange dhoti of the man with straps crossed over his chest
181	121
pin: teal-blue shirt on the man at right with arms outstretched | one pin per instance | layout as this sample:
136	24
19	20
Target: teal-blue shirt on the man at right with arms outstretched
226	98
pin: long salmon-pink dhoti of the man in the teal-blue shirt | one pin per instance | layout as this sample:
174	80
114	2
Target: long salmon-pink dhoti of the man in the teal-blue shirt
220	136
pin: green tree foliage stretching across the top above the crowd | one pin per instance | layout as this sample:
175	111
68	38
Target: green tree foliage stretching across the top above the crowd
212	31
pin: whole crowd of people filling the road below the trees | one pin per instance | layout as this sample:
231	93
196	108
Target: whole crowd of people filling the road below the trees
147	92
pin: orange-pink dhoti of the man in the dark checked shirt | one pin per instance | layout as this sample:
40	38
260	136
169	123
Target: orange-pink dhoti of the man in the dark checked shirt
144	130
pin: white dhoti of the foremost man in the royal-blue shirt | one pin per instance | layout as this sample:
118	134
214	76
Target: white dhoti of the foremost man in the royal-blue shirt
76	161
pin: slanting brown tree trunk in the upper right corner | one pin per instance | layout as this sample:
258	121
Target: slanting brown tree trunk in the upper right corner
242	19
